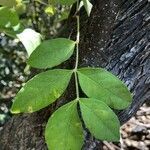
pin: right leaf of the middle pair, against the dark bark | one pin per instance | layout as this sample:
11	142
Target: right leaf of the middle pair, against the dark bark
101	84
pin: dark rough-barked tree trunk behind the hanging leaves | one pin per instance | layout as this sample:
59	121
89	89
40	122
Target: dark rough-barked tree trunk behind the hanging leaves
116	37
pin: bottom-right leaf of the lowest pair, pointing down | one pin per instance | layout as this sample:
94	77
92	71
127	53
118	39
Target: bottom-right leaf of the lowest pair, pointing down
100	119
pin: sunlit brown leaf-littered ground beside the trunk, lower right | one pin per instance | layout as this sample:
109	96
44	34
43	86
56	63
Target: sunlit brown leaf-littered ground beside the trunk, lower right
135	133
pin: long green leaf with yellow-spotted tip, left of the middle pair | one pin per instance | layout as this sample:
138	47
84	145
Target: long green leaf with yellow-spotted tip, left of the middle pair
41	90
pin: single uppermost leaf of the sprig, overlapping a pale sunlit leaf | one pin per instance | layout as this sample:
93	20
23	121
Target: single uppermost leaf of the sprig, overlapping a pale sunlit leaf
51	53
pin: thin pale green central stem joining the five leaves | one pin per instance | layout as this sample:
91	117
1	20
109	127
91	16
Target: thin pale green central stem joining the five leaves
77	52
